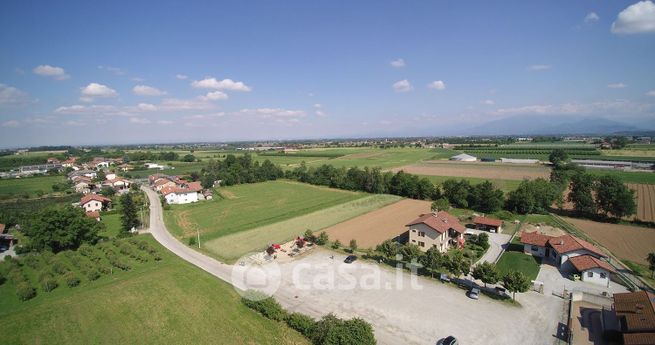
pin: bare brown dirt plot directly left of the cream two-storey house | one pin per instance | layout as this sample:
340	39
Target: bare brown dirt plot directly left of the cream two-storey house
375	227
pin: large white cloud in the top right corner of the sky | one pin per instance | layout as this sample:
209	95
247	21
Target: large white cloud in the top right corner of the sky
636	18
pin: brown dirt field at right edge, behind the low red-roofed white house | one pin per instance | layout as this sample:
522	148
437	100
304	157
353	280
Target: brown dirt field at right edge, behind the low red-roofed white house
625	241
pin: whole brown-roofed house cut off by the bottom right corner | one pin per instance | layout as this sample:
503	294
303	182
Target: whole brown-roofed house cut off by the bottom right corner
631	318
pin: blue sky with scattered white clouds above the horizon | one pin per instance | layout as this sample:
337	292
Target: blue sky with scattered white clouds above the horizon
121	72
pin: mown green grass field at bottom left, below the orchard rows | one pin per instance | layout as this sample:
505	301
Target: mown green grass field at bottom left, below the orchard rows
169	301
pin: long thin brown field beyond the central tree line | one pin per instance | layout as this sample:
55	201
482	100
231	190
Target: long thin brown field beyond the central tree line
479	170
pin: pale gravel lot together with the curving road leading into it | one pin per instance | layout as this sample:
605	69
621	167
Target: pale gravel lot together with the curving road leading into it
400	311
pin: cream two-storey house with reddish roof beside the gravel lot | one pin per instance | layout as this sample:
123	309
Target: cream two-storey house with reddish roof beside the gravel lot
436	230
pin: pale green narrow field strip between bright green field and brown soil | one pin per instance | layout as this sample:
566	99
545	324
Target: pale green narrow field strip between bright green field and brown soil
233	246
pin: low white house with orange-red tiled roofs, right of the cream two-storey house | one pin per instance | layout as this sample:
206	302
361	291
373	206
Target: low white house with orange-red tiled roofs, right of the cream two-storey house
570	254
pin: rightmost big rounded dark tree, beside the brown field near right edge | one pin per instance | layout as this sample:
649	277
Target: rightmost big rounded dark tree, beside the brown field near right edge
613	197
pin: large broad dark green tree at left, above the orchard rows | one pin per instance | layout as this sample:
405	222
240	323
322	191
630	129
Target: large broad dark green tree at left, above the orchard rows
58	229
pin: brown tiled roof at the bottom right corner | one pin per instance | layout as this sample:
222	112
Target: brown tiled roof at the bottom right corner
637	312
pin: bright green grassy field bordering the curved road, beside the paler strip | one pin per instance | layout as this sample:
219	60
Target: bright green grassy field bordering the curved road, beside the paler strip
249	206
